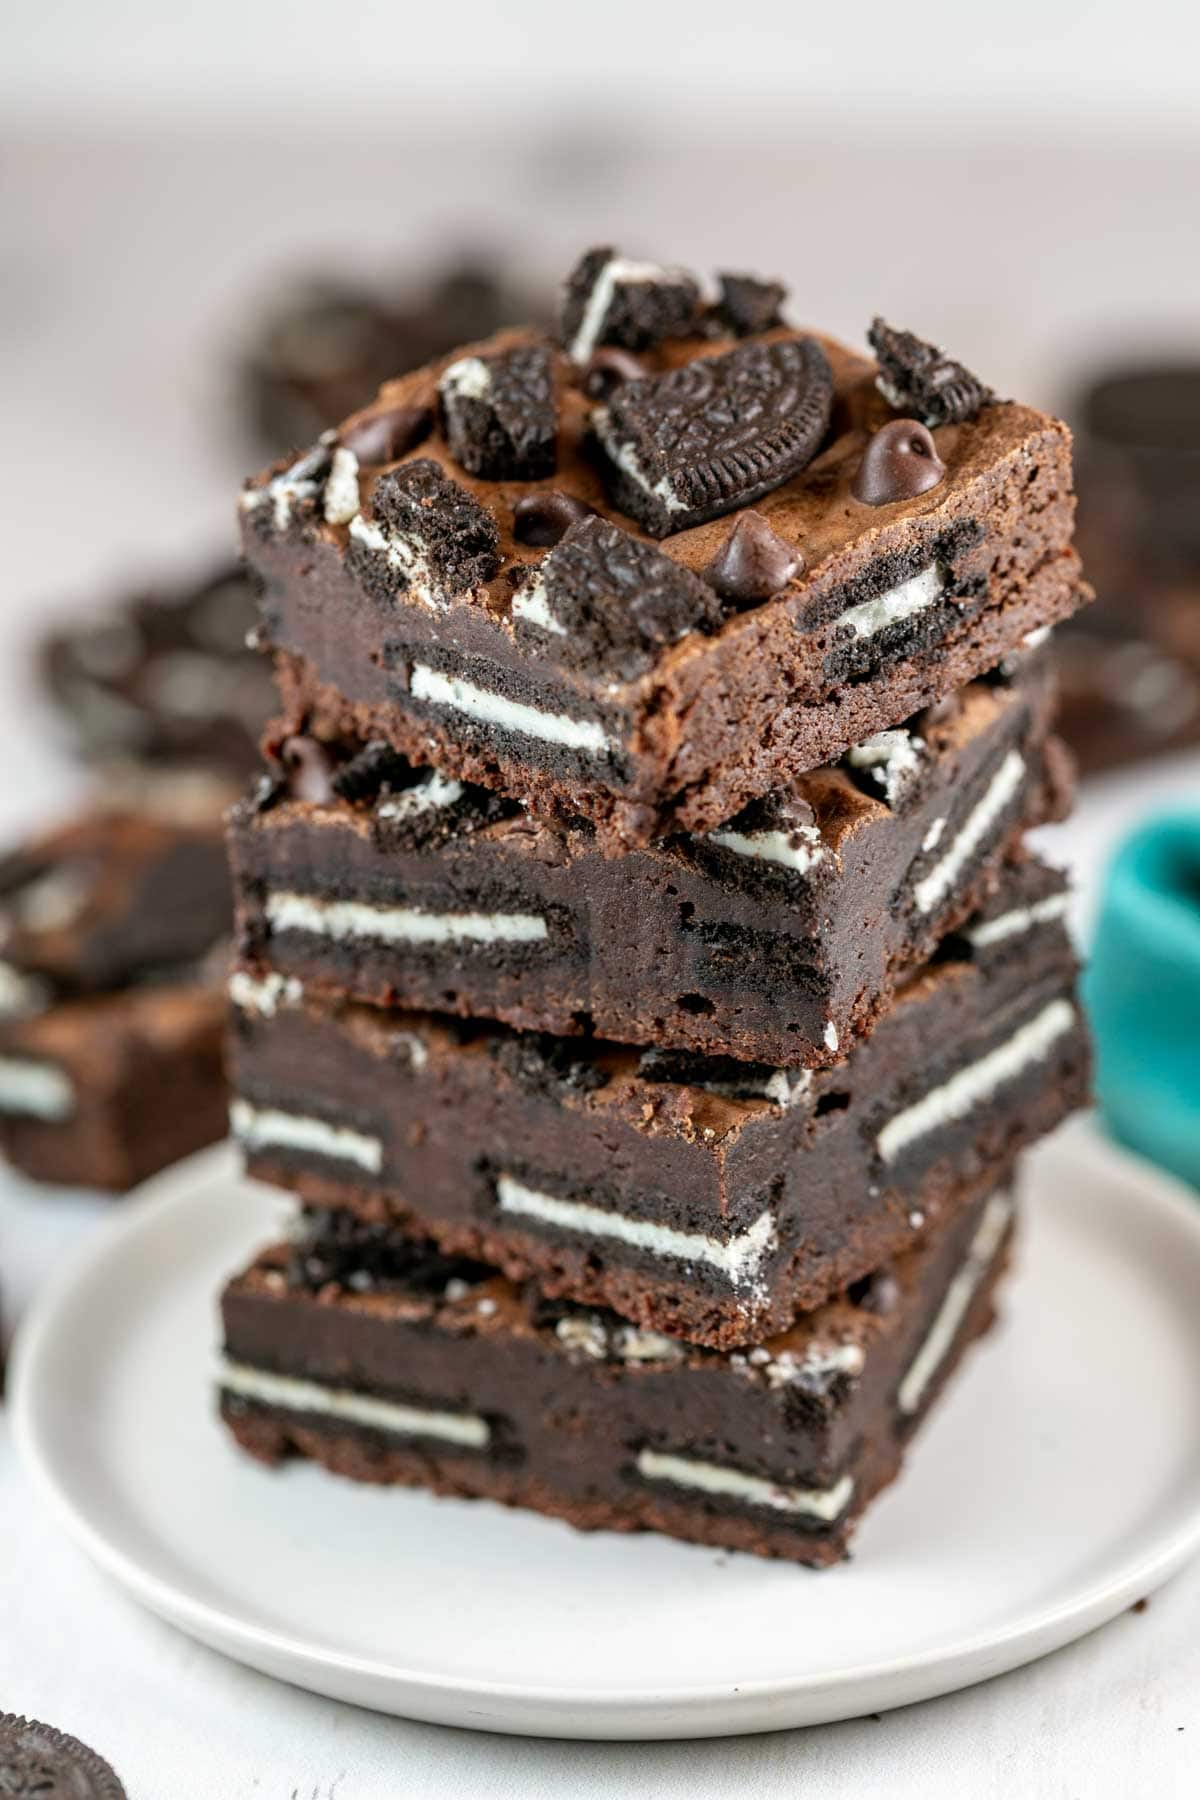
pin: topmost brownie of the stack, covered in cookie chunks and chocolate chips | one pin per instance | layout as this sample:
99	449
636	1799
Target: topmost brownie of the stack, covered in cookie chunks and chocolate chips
650	571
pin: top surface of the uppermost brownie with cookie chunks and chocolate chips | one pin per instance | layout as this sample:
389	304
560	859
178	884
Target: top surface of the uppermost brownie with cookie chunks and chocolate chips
670	445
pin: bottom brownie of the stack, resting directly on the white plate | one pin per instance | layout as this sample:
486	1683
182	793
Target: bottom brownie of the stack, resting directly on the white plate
478	1389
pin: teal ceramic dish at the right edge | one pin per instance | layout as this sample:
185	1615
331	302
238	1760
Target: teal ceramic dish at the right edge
1143	993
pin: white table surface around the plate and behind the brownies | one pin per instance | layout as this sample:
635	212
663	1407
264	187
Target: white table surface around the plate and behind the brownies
120	274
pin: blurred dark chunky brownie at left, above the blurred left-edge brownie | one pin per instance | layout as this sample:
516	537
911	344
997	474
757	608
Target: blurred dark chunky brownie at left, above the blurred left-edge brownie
165	678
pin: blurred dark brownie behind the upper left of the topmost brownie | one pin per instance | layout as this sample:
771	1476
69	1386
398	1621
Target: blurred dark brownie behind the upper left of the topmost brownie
332	343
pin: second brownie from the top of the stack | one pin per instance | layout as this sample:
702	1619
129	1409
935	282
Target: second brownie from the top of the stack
771	940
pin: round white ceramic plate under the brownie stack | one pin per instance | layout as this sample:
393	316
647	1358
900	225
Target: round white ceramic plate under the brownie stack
1059	1482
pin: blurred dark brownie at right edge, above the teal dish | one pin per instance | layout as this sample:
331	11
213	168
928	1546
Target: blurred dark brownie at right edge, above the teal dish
1131	665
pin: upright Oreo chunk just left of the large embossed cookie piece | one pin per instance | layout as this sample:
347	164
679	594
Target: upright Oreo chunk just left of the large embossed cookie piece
499	413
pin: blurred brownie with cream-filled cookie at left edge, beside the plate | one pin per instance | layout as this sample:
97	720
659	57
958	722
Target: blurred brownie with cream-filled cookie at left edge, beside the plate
112	998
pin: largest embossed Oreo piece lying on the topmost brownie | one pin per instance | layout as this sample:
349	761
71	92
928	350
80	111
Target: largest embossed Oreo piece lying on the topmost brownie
717	435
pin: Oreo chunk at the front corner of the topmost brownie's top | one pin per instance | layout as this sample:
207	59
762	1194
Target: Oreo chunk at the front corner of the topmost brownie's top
611	602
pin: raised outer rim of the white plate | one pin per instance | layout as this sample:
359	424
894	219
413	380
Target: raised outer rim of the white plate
728	1709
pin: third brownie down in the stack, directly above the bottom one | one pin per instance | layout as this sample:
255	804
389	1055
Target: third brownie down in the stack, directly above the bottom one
697	1196
